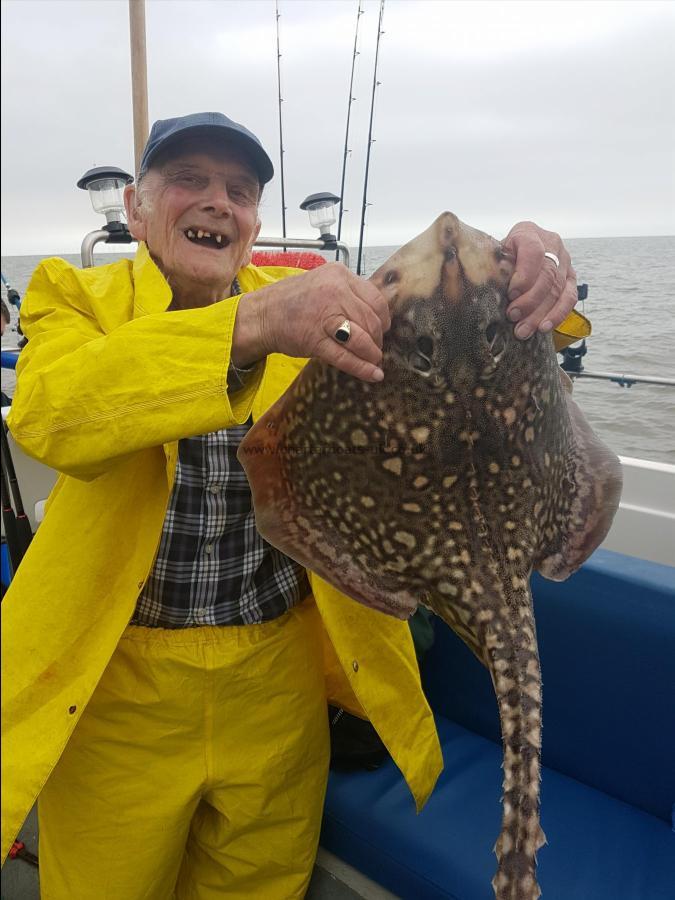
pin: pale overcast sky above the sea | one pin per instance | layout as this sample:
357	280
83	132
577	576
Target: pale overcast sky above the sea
560	112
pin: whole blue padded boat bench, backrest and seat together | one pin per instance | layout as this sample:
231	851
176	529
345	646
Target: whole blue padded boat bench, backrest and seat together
608	781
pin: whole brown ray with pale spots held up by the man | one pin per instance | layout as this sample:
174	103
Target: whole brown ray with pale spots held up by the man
446	484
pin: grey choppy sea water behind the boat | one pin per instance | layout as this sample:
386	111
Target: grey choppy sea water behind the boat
631	304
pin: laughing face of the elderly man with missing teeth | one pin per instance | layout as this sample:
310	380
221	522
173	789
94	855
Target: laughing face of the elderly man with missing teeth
209	191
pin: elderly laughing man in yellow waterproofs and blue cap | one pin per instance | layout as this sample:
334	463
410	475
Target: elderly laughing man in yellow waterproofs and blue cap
166	670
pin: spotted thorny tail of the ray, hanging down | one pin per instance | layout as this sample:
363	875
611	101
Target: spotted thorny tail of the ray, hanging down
514	665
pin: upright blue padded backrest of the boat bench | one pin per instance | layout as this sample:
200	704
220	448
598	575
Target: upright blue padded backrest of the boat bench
606	639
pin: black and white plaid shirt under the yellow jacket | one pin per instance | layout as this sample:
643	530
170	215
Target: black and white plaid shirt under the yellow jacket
212	567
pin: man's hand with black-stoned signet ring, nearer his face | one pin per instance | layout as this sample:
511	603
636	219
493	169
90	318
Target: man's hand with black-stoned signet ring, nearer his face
299	317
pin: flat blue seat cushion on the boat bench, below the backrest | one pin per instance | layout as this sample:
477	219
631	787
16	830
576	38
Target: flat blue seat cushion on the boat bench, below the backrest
598	847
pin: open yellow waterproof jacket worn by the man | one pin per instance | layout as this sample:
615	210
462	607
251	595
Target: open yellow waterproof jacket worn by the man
108	384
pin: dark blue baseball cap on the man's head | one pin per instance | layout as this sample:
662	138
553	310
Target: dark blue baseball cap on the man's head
166	132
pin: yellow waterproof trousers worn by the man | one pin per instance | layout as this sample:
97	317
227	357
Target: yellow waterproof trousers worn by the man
197	771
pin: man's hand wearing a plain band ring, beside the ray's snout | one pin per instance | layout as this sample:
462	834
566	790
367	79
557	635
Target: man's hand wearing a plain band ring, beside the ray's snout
542	295
